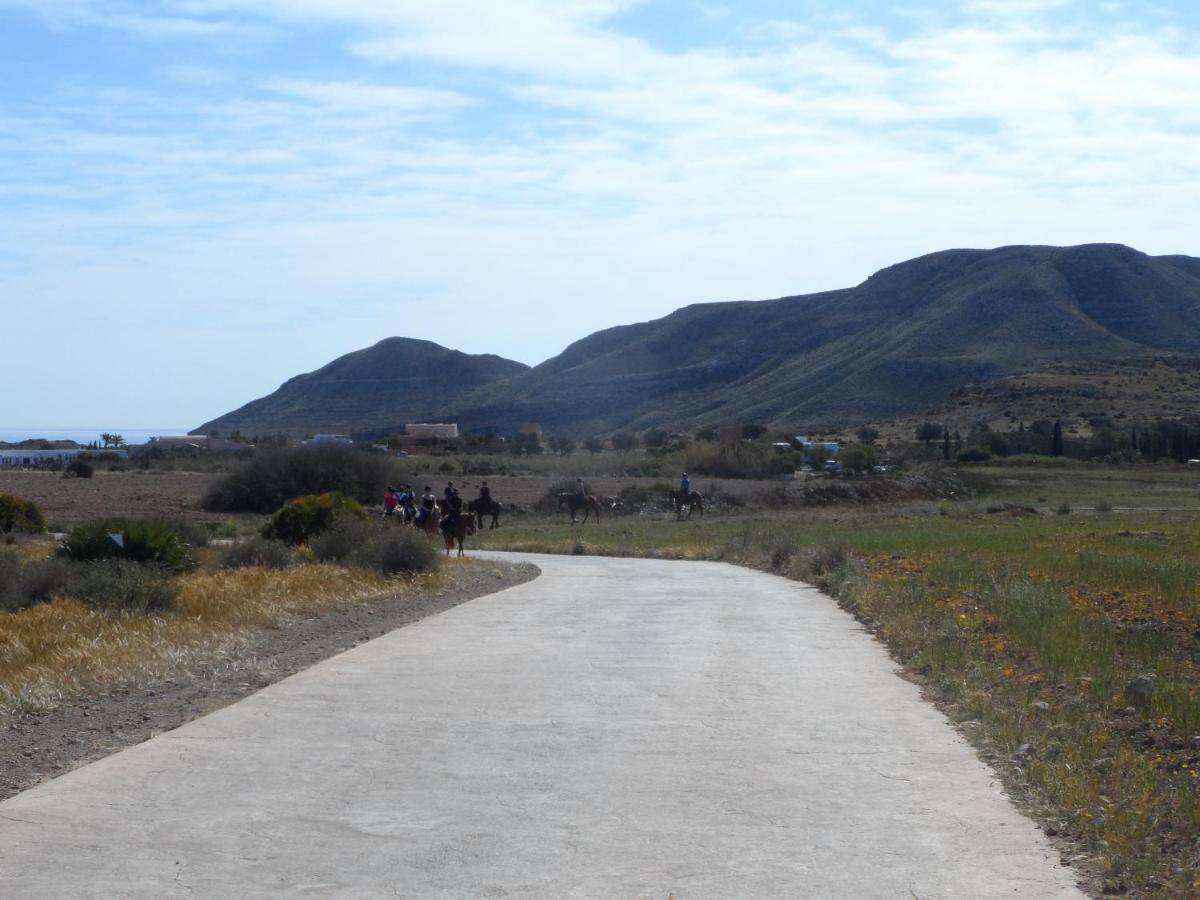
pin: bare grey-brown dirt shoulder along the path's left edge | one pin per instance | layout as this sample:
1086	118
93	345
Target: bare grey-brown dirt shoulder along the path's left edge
37	749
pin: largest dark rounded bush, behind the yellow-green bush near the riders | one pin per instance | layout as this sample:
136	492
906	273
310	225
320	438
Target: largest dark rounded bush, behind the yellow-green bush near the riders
275	477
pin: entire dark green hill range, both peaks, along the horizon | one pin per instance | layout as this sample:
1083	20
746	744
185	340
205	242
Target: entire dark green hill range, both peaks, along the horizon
897	344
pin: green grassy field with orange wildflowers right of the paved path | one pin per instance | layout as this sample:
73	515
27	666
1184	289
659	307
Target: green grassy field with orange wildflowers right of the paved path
1027	627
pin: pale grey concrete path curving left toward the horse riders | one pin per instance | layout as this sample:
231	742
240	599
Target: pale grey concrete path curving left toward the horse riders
616	729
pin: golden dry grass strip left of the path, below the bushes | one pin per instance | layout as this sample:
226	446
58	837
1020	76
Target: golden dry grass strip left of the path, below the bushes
62	650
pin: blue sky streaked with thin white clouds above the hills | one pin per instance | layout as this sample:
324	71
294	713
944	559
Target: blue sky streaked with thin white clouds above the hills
202	199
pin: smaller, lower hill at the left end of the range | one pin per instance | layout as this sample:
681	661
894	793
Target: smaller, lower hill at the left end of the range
374	391
